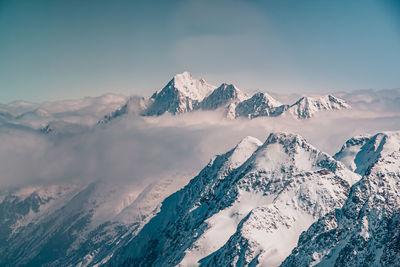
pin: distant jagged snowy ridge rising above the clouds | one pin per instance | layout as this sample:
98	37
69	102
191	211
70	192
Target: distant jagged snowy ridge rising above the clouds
184	94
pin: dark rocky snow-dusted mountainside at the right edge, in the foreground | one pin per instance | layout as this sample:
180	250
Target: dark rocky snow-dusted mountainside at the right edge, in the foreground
365	232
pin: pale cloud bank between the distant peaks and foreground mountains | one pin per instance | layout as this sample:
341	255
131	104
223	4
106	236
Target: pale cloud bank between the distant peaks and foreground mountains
135	151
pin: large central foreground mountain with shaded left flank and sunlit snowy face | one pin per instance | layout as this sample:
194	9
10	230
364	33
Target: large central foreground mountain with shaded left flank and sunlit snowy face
237	207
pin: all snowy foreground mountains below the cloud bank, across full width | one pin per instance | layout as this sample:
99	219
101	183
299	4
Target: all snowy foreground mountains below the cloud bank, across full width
281	201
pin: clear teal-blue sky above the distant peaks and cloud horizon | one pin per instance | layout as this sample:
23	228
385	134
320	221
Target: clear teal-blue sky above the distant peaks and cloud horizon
66	49
